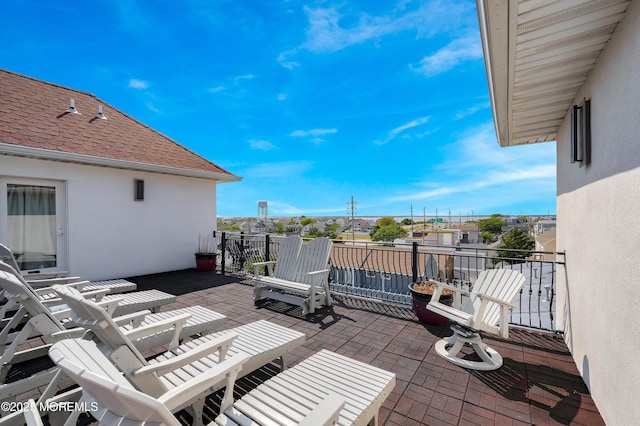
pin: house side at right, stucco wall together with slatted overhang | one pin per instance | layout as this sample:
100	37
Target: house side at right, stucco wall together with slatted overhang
543	58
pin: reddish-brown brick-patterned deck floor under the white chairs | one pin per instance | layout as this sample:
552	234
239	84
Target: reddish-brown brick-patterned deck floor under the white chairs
538	384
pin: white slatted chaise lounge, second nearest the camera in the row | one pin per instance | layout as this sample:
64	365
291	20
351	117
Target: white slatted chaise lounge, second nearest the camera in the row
261	341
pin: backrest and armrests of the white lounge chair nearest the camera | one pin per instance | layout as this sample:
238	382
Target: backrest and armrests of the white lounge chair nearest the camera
113	399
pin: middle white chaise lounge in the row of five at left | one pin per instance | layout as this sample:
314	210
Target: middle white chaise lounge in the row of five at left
146	330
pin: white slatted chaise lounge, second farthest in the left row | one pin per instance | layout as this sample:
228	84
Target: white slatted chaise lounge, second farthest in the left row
127	303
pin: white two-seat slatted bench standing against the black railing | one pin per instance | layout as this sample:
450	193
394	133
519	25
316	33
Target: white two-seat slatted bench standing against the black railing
300	276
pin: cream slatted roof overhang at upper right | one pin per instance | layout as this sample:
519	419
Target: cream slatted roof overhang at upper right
538	54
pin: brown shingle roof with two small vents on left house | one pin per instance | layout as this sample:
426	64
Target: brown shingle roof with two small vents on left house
33	115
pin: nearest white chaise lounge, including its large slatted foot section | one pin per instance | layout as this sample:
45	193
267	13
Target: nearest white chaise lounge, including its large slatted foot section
325	389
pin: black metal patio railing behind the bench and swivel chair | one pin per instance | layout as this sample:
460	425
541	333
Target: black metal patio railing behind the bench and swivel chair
384	272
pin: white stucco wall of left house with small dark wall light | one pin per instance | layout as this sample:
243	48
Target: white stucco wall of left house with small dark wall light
109	235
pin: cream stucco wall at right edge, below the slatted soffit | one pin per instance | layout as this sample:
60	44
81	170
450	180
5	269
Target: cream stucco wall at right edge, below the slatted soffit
598	210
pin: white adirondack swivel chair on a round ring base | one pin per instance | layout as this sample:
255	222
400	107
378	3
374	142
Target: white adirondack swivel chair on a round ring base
485	309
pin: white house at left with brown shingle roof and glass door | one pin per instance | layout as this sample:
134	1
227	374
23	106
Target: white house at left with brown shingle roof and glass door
85	188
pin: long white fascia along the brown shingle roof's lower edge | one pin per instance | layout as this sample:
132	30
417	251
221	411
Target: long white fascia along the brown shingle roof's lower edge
46	154
